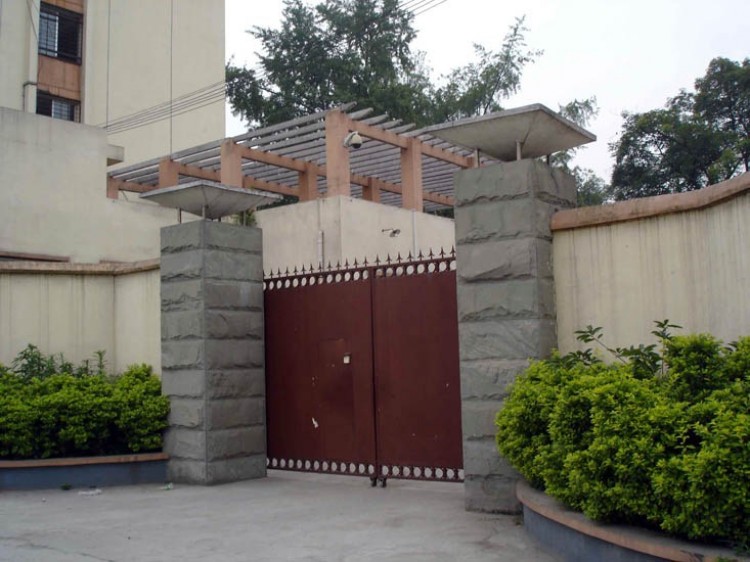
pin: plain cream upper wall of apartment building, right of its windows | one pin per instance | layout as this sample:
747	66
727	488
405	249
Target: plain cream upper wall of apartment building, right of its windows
142	53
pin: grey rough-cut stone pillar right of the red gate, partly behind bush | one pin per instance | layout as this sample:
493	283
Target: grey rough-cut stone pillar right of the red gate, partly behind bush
506	307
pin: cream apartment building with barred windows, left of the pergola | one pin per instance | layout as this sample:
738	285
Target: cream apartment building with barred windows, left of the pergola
87	84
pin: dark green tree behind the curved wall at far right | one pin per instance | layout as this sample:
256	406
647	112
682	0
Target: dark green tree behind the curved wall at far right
698	139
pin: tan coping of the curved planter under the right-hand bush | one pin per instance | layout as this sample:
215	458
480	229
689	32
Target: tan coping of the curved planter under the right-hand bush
640	540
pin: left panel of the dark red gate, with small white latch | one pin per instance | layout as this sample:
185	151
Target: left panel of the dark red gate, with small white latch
319	374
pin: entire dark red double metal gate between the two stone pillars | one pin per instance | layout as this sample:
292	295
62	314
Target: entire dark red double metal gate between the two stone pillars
362	371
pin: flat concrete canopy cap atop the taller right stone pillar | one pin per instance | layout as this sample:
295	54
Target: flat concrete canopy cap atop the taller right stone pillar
539	130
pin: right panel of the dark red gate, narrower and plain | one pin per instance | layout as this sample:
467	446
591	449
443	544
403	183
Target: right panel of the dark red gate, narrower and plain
418	405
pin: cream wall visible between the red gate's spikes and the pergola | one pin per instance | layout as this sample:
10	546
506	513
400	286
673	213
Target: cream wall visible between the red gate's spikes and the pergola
351	228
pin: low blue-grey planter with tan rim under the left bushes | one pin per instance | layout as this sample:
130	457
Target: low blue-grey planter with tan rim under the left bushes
118	470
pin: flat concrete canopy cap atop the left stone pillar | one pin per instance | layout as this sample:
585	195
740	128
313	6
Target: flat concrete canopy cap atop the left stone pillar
209	199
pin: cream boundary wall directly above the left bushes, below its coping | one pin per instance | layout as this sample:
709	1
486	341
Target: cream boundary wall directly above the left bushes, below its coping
79	314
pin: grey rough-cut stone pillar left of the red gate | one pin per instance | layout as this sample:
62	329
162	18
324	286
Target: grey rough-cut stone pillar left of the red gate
212	351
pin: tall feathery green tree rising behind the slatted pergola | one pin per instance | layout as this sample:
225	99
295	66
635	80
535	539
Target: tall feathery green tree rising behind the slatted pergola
360	50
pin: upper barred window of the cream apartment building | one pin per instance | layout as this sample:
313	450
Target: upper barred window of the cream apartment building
60	33
